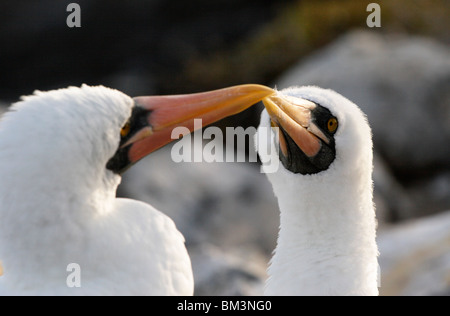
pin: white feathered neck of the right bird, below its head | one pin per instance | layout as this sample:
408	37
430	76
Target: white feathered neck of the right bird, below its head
326	244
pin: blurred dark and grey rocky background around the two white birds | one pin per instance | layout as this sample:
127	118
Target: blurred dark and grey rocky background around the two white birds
399	74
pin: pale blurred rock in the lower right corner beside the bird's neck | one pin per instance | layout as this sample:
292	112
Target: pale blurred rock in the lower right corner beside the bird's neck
415	257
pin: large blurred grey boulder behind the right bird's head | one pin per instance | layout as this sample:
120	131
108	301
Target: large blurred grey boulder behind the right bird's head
401	83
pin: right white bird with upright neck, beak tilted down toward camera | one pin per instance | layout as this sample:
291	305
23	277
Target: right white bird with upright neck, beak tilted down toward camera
326	243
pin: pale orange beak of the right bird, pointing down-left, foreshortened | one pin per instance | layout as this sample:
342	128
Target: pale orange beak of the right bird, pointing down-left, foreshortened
294	116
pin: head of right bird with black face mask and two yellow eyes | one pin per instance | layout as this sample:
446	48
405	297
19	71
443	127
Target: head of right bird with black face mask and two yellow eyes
314	129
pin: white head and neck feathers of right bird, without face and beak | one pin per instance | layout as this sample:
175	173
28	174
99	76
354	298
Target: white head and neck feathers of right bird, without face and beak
326	244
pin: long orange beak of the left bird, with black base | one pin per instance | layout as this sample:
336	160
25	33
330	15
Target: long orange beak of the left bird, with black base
155	117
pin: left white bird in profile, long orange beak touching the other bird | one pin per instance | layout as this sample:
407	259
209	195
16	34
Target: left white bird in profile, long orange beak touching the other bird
61	156
